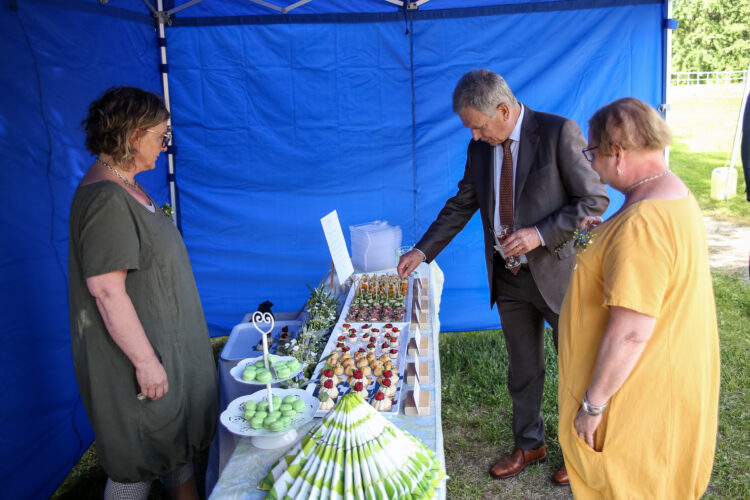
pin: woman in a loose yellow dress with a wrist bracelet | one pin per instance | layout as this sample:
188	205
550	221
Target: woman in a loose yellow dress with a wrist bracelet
639	351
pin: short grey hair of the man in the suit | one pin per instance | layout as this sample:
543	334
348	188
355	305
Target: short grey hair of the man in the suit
483	90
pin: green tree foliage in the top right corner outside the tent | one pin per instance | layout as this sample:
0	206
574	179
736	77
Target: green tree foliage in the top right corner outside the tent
712	35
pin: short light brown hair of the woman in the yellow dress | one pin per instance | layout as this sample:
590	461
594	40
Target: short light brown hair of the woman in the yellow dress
630	124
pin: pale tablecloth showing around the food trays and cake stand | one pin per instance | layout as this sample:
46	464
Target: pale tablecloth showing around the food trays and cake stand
242	465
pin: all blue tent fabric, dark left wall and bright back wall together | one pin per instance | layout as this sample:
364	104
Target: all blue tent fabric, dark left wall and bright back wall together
279	118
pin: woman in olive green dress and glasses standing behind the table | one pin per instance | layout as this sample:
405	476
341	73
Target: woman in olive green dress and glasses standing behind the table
141	348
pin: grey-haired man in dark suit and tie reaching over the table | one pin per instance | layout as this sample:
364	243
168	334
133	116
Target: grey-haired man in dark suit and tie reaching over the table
549	188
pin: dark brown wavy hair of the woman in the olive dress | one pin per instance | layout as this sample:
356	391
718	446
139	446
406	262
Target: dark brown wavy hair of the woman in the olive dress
114	117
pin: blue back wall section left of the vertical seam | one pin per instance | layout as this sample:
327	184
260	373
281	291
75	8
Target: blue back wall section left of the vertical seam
303	120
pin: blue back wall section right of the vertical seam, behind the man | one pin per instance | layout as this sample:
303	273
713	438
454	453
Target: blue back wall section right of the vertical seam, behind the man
565	62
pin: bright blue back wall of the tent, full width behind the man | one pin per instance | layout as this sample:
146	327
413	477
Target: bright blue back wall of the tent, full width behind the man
308	118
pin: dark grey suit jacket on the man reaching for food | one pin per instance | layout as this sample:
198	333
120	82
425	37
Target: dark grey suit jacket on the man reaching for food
555	187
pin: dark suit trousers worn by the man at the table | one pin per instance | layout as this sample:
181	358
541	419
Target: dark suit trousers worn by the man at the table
523	312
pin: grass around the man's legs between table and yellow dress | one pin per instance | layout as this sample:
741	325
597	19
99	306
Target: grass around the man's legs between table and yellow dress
477	419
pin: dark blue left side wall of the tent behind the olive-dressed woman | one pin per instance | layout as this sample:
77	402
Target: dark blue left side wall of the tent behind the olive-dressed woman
54	63
